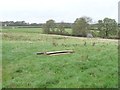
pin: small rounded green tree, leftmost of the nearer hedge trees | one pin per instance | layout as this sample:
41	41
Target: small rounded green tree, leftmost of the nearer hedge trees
49	26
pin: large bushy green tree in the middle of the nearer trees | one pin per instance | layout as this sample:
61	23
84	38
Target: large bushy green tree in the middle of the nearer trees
81	26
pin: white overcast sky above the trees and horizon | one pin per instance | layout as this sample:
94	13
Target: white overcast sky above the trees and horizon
39	11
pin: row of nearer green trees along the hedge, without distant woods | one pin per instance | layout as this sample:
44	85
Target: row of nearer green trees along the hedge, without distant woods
106	28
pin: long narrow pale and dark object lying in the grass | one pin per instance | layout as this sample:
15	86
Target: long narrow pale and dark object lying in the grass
56	52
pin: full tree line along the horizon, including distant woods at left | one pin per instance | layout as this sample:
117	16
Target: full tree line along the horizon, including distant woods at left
106	28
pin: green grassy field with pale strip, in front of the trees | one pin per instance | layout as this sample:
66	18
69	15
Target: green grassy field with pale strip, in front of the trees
89	67
